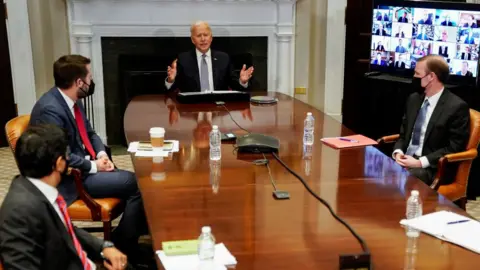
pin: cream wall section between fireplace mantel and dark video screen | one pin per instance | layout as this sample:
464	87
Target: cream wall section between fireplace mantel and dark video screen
320	53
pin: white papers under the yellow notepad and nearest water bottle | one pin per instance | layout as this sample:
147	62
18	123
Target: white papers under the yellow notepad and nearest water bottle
222	258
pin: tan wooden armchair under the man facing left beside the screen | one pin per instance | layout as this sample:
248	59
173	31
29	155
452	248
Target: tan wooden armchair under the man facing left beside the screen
457	190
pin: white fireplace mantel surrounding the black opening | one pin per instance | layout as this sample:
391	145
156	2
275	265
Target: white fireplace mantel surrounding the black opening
90	20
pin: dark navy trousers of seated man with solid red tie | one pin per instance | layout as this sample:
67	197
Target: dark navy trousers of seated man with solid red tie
123	185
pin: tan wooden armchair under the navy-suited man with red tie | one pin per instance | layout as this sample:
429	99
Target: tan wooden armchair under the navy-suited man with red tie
85	208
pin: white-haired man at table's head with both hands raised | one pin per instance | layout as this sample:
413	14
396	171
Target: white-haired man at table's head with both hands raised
204	69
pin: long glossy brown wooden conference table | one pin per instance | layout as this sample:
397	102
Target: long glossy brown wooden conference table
364	187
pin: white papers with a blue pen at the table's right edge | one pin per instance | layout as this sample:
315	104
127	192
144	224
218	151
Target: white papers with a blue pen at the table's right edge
462	231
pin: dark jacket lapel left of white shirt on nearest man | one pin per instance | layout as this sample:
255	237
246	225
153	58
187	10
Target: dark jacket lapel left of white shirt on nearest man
62	229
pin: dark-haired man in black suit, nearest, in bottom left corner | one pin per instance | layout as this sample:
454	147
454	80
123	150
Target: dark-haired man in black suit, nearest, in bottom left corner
35	228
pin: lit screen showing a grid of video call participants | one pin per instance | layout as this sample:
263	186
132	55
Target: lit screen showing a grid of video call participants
401	35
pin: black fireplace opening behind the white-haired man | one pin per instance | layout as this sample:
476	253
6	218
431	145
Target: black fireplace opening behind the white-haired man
134	66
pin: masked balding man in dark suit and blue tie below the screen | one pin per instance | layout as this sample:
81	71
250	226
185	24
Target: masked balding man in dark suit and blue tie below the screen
436	122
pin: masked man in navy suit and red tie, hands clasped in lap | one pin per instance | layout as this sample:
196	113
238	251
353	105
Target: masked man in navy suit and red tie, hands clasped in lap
62	107
